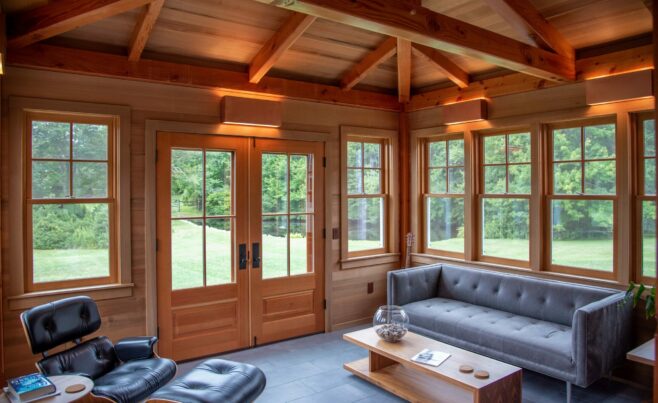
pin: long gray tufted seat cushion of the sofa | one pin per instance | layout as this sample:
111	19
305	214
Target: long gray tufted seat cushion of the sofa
514	336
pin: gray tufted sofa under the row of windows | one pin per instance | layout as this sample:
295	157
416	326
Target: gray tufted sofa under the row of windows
567	331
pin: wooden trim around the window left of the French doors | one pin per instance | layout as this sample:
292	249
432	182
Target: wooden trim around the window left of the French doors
19	293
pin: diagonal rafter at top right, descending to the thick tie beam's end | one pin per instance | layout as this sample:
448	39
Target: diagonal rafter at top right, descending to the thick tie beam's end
528	21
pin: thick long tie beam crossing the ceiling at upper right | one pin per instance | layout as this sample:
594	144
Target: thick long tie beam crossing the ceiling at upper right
406	20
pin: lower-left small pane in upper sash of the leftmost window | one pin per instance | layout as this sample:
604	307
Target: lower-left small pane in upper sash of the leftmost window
50	179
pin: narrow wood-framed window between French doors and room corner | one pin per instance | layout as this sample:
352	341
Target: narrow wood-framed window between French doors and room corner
366	196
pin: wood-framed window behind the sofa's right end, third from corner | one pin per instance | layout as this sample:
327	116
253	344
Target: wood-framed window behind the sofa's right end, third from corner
583	197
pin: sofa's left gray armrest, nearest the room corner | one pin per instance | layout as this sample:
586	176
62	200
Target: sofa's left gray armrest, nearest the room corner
411	285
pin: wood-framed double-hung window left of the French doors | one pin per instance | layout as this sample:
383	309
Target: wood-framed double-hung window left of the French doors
70	201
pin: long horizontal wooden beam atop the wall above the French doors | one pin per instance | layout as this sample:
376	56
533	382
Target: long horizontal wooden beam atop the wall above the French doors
55	58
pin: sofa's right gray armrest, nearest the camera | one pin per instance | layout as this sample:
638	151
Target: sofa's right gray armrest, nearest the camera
601	337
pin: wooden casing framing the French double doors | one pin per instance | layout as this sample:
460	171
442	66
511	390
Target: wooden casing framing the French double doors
151	130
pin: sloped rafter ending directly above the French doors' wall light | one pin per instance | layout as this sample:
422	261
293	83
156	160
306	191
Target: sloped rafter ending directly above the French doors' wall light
276	46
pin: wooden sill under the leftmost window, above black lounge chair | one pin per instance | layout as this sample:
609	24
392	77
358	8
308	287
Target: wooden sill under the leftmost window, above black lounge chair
98	293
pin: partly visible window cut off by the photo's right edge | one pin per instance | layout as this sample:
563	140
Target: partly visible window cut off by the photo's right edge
647	194
